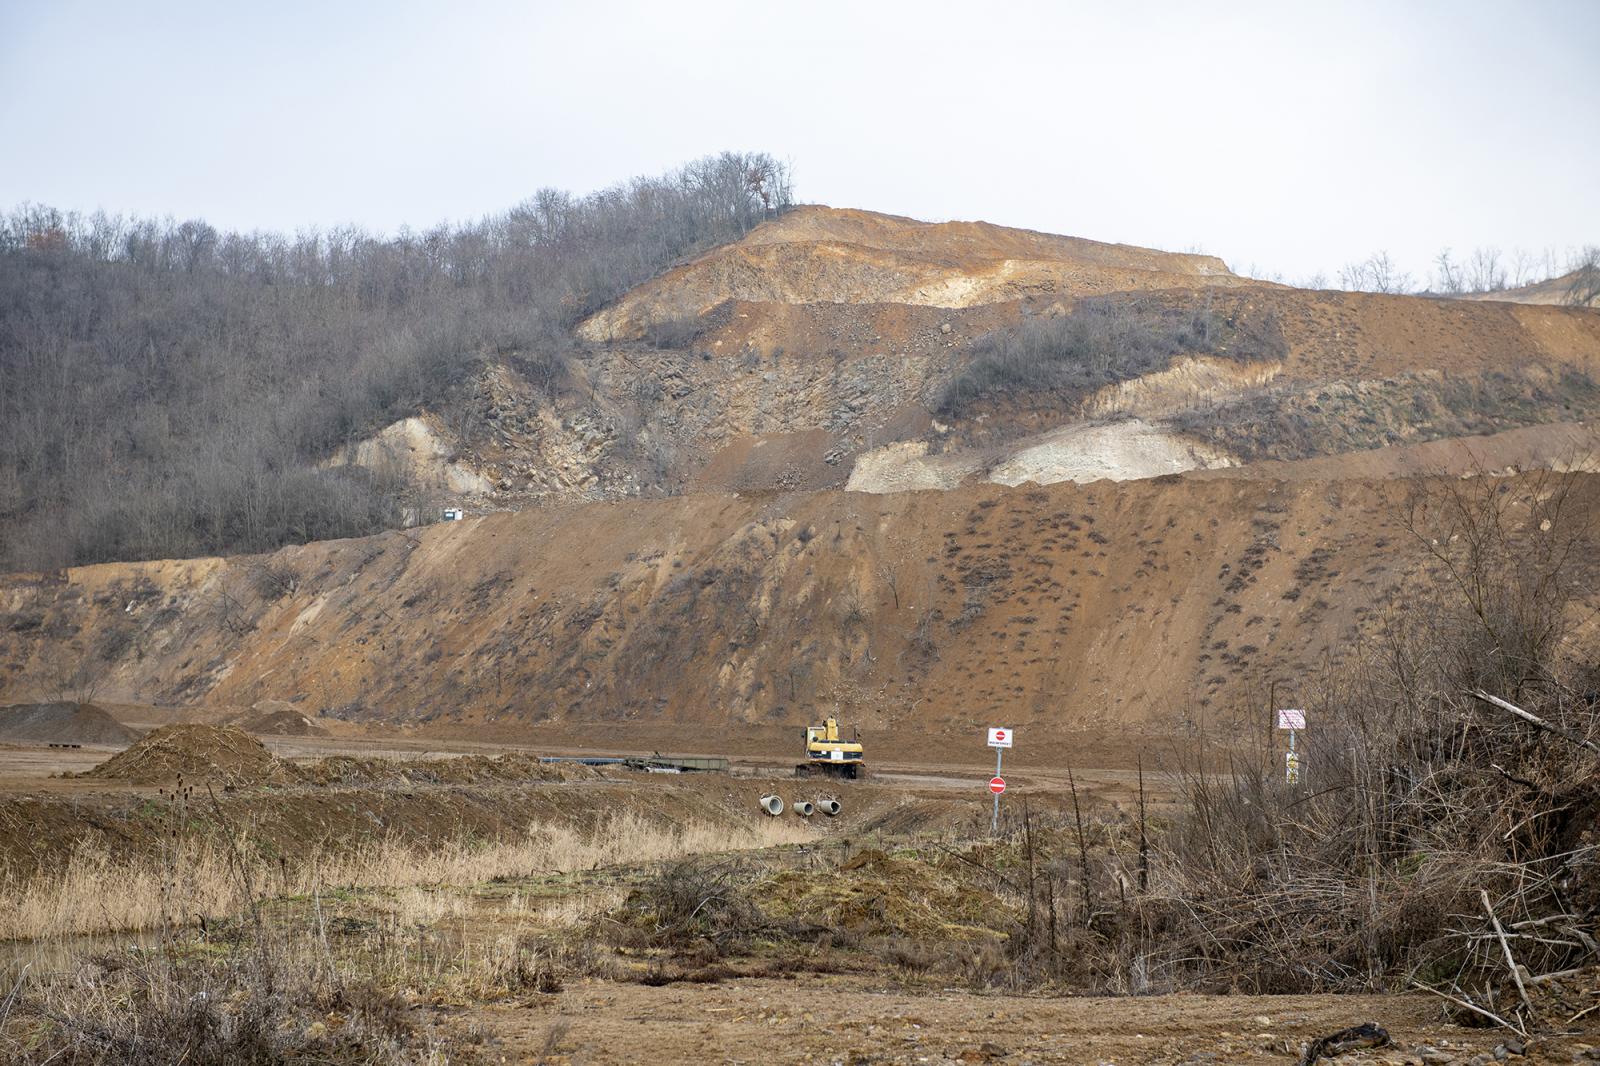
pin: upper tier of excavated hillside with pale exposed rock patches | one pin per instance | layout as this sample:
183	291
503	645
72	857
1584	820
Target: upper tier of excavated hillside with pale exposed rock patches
850	350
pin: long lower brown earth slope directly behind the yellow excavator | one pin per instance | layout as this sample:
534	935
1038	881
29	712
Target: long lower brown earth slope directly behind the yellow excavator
1060	607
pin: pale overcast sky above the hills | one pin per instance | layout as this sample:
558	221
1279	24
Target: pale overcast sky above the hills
1287	137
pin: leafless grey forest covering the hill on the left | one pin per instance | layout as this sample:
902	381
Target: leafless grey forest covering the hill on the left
169	390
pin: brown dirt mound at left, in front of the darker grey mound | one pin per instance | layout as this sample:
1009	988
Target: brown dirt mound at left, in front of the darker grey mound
196	753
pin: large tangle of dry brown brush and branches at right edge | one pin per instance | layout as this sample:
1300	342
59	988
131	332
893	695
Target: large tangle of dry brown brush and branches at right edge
1428	812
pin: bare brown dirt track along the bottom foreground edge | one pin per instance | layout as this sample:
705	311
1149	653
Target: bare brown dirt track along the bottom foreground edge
828	1019
